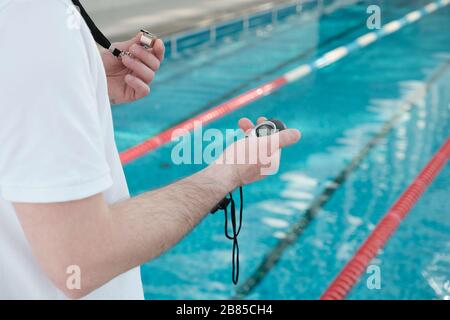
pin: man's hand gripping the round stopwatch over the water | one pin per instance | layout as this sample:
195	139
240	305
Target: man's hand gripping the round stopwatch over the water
251	159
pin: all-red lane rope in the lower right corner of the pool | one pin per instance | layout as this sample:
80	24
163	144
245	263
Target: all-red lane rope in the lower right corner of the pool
351	273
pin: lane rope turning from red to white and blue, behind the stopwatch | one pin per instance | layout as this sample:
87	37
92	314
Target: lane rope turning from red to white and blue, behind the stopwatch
296	74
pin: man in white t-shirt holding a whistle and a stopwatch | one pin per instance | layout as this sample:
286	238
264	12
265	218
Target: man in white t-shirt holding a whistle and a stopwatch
64	204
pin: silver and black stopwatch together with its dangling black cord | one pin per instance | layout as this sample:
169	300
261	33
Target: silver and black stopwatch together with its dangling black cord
263	129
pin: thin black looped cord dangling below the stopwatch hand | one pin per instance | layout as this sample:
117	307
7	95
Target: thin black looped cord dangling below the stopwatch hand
235	230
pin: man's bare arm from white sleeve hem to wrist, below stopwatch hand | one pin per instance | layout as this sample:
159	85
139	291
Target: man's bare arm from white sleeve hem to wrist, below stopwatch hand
105	242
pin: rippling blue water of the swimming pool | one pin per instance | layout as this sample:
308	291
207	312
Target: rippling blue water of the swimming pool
338	109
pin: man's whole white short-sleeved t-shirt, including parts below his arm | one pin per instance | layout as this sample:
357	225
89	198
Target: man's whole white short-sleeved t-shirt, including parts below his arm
56	135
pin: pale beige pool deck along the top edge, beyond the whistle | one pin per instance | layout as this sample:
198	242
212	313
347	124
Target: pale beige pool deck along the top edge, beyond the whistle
168	17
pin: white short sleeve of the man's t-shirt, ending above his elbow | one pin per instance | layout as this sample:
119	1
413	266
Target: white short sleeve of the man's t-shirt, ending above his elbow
51	140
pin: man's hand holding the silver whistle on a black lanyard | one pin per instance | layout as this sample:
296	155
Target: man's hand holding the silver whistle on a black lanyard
129	77
